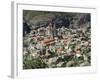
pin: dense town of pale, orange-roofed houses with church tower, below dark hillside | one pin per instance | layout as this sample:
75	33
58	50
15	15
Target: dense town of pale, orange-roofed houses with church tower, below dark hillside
58	47
